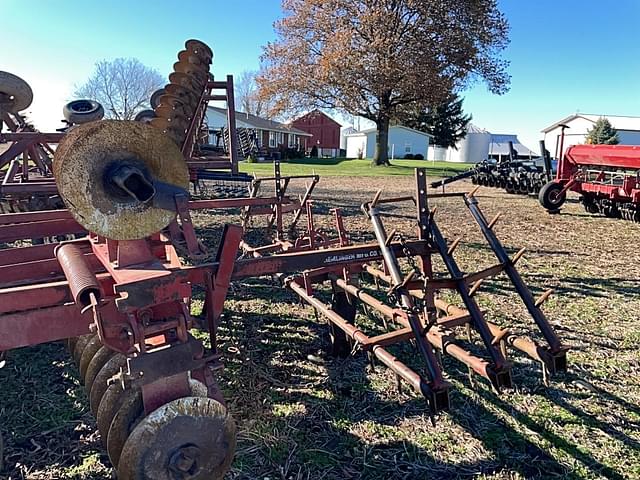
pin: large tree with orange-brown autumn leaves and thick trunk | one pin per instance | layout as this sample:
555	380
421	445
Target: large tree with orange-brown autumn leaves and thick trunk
371	57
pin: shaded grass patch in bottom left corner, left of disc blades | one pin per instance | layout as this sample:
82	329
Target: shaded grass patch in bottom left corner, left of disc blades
44	417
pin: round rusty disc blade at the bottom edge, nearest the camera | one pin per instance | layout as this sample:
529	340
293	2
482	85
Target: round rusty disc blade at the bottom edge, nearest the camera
191	437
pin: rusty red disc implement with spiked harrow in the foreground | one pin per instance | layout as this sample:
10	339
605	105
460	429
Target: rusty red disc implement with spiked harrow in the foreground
121	295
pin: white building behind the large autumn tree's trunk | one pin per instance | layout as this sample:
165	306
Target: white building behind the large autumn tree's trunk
402	140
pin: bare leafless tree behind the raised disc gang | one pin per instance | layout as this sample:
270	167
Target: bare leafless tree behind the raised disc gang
123	86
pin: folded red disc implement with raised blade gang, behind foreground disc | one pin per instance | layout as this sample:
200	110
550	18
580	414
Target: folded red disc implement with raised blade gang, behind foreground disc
179	110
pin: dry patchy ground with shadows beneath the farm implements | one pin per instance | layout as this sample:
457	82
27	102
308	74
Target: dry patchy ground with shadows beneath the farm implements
304	415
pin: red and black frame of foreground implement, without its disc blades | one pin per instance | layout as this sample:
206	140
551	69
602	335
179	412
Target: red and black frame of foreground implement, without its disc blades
136	295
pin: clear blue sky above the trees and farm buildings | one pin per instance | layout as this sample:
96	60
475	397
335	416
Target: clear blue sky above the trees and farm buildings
566	55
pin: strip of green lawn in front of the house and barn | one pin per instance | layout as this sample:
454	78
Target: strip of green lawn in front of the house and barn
347	167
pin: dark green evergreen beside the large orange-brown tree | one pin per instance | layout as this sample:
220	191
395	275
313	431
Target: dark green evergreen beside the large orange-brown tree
446	121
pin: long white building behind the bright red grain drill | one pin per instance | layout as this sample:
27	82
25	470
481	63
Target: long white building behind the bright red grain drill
580	123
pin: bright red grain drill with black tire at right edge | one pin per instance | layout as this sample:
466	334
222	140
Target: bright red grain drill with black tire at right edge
606	176
